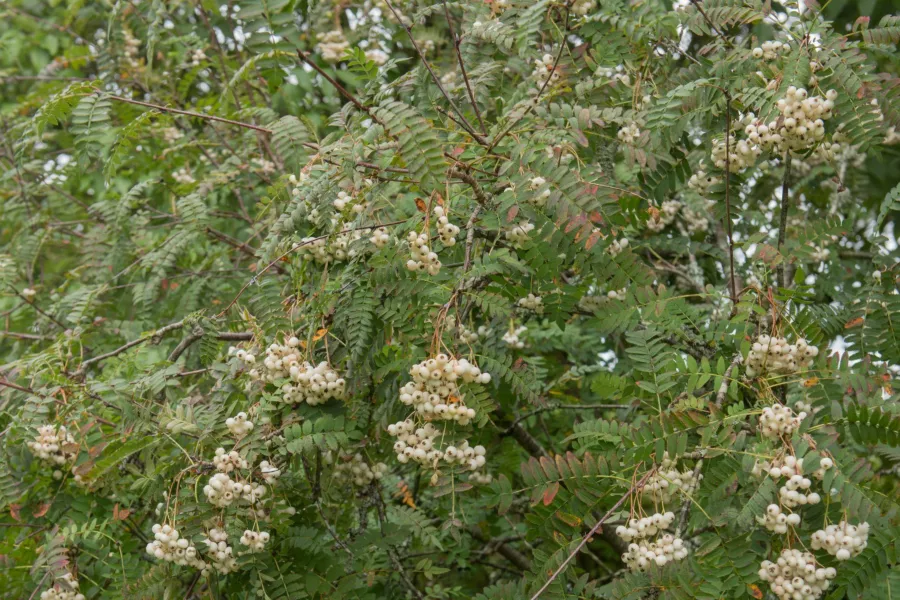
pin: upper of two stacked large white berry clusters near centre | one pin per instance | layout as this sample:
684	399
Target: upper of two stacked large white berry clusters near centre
434	392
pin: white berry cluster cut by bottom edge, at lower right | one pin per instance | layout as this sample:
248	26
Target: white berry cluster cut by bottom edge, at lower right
796	576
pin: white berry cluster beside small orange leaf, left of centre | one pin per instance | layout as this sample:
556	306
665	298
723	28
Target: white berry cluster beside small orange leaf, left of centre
311	384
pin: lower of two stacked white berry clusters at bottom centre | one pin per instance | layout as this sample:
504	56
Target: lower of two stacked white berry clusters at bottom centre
421	445
